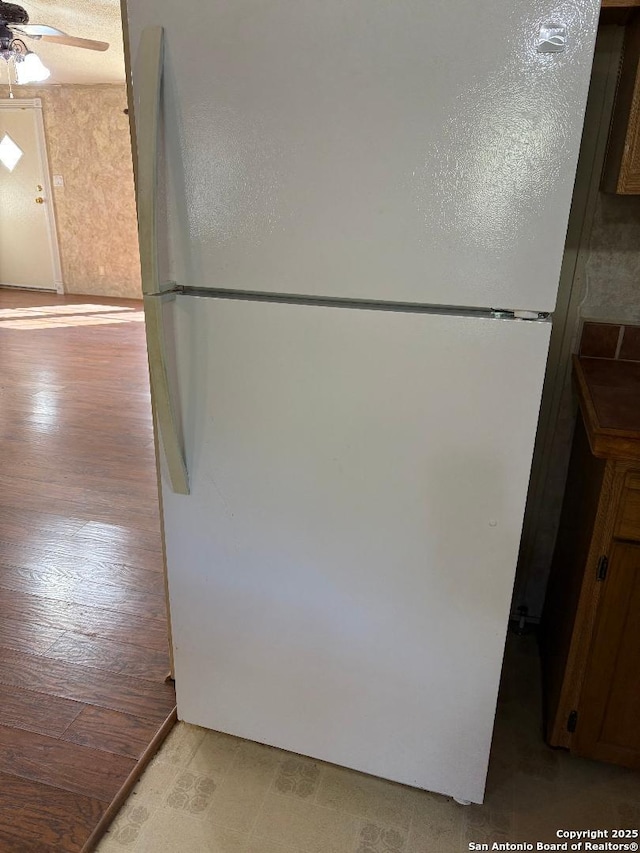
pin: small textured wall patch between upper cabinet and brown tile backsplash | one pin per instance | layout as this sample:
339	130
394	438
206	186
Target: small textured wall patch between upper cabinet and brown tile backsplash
613	269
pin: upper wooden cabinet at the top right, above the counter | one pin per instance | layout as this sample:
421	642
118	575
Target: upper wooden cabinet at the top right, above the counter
622	164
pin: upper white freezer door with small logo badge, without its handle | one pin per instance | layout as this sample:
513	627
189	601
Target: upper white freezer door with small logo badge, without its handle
403	151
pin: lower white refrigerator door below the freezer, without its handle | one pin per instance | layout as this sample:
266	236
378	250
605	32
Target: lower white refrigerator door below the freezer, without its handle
340	575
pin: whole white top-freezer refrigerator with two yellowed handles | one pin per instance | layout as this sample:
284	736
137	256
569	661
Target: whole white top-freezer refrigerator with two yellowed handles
352	216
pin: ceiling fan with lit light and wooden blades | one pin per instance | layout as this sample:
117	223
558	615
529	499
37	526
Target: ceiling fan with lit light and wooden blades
28	67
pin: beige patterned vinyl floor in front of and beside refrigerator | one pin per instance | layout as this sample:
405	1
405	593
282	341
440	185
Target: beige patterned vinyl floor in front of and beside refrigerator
206	792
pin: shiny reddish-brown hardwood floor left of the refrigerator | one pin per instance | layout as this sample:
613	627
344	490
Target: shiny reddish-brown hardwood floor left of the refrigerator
83	634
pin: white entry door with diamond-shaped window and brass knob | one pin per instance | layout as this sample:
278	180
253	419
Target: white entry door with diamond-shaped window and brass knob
28	242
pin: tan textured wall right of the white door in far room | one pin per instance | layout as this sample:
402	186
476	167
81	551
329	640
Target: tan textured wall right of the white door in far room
89	145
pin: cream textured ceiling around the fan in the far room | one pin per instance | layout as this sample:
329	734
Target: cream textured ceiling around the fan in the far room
94	19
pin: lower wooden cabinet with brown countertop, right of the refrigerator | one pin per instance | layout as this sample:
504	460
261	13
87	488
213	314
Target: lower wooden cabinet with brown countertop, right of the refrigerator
590	635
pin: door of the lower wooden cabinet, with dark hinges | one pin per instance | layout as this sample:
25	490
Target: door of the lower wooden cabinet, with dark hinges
609	712
